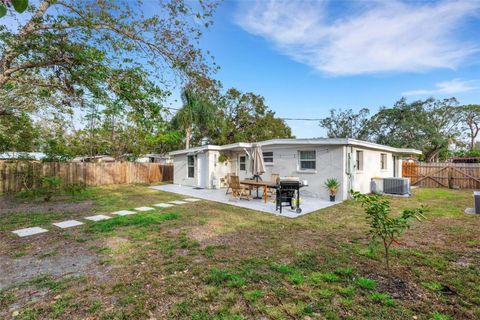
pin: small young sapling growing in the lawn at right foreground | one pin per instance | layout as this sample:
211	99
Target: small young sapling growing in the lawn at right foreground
382	225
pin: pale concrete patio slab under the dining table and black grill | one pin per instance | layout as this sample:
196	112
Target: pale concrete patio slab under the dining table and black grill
218	195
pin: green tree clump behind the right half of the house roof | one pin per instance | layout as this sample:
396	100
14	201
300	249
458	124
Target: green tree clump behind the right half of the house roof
429	125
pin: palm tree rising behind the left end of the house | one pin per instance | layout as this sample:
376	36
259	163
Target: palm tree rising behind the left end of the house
196	111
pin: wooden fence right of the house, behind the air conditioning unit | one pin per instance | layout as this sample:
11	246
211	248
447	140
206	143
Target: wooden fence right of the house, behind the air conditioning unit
443	175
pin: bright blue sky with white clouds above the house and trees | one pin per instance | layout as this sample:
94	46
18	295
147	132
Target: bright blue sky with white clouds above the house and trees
308	57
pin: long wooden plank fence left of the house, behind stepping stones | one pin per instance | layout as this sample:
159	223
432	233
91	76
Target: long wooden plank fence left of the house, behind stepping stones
18	175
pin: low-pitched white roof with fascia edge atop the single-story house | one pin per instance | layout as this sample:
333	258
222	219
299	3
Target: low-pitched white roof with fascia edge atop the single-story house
297	142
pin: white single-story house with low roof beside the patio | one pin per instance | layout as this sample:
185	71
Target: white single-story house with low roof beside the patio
352	162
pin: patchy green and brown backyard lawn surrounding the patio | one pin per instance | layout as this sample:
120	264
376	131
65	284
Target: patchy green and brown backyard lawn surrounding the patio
206	260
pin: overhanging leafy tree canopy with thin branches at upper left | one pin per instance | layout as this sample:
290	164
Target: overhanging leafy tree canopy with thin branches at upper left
72	51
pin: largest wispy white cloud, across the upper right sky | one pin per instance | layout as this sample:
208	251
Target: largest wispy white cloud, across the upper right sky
367	37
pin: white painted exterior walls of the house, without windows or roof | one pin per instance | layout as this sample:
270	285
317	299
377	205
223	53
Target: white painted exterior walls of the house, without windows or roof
331	162
